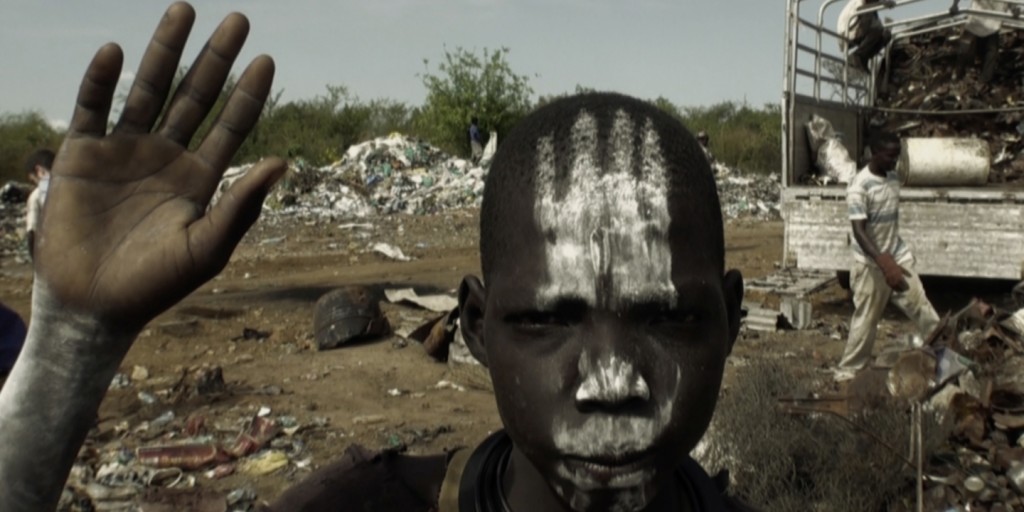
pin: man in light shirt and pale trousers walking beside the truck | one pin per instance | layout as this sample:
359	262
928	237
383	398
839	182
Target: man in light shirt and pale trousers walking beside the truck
883	268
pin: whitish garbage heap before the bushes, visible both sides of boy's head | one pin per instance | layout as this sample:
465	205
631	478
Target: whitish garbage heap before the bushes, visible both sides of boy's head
403	175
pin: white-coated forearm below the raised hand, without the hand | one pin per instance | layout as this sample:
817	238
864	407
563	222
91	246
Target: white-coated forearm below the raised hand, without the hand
51	401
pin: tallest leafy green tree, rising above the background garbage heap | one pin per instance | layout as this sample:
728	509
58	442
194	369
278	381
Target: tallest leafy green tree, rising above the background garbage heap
468	86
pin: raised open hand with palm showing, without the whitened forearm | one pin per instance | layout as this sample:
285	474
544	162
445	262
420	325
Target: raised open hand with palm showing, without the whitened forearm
126	232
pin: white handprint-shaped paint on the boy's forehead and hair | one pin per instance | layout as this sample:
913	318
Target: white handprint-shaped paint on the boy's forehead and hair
608	234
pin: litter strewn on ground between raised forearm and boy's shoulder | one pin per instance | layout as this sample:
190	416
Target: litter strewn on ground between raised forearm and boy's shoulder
162	459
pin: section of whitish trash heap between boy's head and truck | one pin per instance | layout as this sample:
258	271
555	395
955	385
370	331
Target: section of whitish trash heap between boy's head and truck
749	196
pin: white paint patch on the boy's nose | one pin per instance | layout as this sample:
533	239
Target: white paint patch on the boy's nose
613	380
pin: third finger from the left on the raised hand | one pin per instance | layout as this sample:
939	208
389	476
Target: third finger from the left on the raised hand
205	80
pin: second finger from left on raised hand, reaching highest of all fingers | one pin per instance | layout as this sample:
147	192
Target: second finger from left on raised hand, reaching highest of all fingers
157	70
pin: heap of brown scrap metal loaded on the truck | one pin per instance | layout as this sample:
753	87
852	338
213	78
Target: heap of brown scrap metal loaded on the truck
924	77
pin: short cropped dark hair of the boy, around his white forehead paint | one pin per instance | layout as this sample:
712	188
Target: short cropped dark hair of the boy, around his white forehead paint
510	183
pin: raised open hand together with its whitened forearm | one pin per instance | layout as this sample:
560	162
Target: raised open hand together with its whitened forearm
126	234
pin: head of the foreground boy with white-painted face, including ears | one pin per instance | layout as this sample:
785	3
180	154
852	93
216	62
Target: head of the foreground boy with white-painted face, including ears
608	315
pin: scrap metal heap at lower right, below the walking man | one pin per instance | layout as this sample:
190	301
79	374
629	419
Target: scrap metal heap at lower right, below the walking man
978	380
